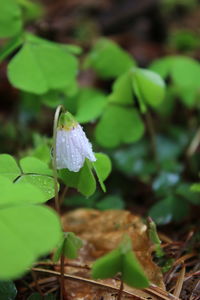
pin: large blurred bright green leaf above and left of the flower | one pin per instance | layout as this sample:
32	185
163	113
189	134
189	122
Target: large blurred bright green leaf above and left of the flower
51	67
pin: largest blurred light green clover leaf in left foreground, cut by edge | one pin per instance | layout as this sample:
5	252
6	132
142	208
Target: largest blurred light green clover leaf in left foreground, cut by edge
21	241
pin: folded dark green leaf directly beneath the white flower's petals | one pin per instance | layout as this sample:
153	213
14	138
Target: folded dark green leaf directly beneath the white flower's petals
83	180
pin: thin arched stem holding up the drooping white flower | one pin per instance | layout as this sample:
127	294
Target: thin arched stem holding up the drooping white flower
55	173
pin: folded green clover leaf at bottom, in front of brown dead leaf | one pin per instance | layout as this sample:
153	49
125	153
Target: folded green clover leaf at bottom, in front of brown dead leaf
121	260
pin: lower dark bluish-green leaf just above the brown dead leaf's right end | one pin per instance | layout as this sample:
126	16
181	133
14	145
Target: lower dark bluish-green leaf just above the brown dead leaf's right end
168	210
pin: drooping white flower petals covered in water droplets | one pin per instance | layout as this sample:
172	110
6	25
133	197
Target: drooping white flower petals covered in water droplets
72	147
